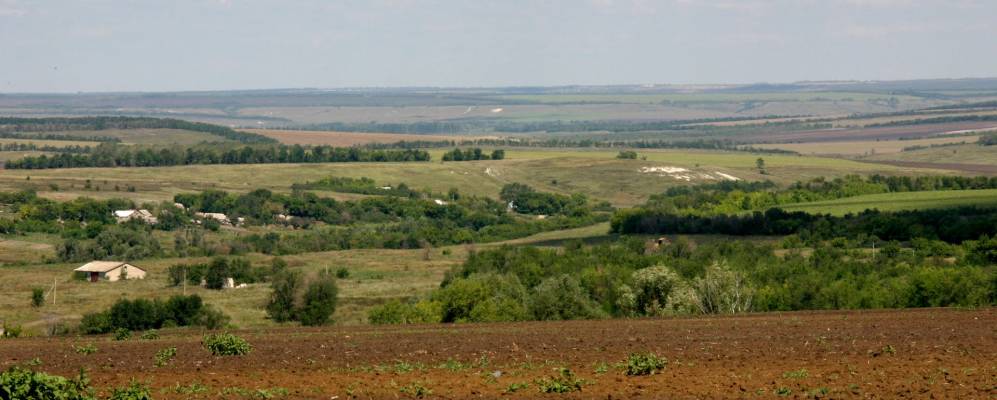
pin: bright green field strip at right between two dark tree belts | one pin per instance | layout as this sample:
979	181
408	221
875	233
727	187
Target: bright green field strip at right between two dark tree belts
899	201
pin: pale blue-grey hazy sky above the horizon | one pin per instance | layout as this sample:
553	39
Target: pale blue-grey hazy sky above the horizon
137	45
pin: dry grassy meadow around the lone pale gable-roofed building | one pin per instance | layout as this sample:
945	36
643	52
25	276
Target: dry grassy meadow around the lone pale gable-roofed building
376	275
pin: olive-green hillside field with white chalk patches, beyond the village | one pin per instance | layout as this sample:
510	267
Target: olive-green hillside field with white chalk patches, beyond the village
597	173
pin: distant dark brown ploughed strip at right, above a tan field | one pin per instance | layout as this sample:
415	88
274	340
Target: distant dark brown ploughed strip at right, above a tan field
881	133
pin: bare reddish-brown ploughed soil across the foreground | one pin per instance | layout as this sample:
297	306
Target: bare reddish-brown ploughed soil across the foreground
929	353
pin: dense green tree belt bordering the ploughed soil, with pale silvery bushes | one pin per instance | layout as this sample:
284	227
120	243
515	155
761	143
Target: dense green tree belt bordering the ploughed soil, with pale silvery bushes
628	278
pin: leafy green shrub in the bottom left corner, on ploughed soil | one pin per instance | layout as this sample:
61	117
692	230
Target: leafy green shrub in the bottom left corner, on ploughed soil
21	383
